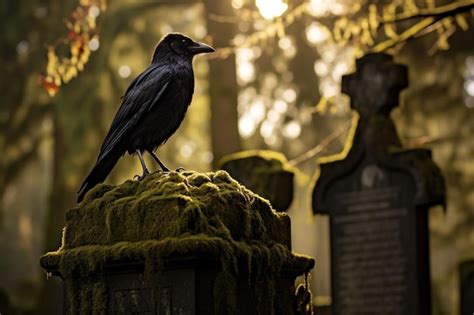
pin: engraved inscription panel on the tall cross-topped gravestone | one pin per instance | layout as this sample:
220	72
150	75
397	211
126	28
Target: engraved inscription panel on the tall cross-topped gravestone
371	270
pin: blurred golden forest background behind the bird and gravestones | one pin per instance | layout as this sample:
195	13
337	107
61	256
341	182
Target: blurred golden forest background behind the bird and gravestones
274	83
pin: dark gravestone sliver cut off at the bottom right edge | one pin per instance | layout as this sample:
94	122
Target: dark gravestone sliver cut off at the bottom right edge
466	285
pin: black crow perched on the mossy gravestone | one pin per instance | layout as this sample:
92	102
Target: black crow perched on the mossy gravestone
152	109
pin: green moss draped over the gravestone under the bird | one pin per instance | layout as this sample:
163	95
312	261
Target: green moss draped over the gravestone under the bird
170	215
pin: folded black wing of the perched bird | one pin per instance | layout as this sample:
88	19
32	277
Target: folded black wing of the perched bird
141	95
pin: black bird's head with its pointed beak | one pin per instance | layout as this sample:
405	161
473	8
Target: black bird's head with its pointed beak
180	45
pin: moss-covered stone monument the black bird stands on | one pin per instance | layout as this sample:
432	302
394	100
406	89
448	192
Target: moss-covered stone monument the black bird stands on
177	243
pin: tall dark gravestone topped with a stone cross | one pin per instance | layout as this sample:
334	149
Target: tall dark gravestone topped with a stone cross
377	195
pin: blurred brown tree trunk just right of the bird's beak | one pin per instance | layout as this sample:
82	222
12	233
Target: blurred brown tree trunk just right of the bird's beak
223	87
